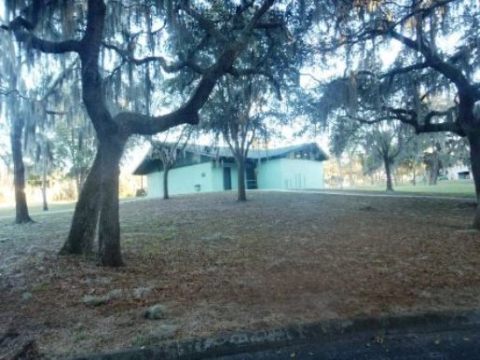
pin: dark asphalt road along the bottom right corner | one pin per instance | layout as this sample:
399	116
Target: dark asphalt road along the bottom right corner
418	344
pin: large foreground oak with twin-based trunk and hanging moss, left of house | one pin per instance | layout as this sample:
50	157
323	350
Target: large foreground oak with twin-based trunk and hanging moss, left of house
200	41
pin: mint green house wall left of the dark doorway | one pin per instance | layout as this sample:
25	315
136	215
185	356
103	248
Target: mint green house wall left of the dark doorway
184	180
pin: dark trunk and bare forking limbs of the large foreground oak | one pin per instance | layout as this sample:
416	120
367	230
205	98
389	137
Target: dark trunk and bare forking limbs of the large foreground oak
109	131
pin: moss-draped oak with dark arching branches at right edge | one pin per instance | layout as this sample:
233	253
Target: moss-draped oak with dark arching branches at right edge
431	85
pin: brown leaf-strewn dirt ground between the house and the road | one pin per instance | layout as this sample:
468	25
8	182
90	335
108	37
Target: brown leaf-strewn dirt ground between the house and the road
217	266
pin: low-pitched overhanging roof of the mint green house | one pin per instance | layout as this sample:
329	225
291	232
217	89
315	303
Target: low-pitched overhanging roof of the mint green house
208	153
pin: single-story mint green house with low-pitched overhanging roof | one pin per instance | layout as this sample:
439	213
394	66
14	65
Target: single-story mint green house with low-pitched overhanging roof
206	169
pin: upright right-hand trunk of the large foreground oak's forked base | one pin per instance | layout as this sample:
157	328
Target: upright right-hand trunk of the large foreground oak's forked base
111	150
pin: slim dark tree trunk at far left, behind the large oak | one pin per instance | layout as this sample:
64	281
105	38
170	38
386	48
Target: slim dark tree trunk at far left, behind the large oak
21	208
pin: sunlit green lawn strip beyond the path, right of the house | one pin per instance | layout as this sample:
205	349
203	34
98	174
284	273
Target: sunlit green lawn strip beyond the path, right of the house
458	188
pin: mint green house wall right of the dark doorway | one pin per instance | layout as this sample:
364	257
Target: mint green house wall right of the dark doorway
290	174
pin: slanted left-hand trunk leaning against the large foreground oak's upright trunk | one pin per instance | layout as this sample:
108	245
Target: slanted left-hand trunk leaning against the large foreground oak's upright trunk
85	218
